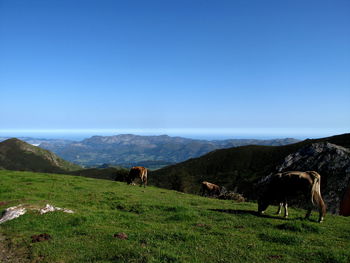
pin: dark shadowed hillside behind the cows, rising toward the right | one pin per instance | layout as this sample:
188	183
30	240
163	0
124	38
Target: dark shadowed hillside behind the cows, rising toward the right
233	168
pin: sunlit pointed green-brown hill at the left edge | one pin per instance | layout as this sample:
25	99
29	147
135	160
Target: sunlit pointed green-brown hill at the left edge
18	155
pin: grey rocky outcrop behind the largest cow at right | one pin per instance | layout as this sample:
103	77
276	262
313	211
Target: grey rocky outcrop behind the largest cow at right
332	162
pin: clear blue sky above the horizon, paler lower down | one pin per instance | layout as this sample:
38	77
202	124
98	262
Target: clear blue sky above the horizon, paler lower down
249	66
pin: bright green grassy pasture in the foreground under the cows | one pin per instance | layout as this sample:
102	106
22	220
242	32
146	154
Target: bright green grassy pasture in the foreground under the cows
159	226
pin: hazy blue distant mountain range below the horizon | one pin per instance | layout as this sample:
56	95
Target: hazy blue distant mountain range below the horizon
150	151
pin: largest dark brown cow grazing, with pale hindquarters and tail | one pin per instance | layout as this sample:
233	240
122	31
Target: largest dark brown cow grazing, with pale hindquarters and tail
282	187
